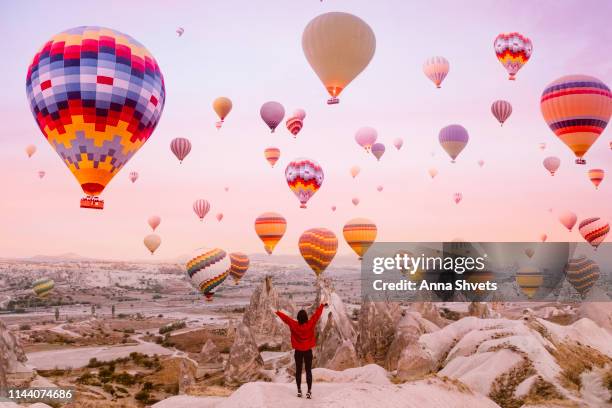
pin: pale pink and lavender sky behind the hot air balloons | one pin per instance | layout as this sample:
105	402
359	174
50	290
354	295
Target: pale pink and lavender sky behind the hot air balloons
251	52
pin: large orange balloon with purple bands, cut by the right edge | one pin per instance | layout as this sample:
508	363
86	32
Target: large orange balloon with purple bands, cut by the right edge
577	109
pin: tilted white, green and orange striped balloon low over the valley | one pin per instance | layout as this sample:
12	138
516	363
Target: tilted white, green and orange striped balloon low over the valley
208	270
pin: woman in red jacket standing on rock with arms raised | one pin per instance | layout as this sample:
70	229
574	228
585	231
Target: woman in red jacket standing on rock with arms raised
303	340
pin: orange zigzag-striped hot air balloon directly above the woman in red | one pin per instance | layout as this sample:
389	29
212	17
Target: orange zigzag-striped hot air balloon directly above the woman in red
318	247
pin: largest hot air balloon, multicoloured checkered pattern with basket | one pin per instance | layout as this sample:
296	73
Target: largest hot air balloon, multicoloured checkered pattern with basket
97	96
